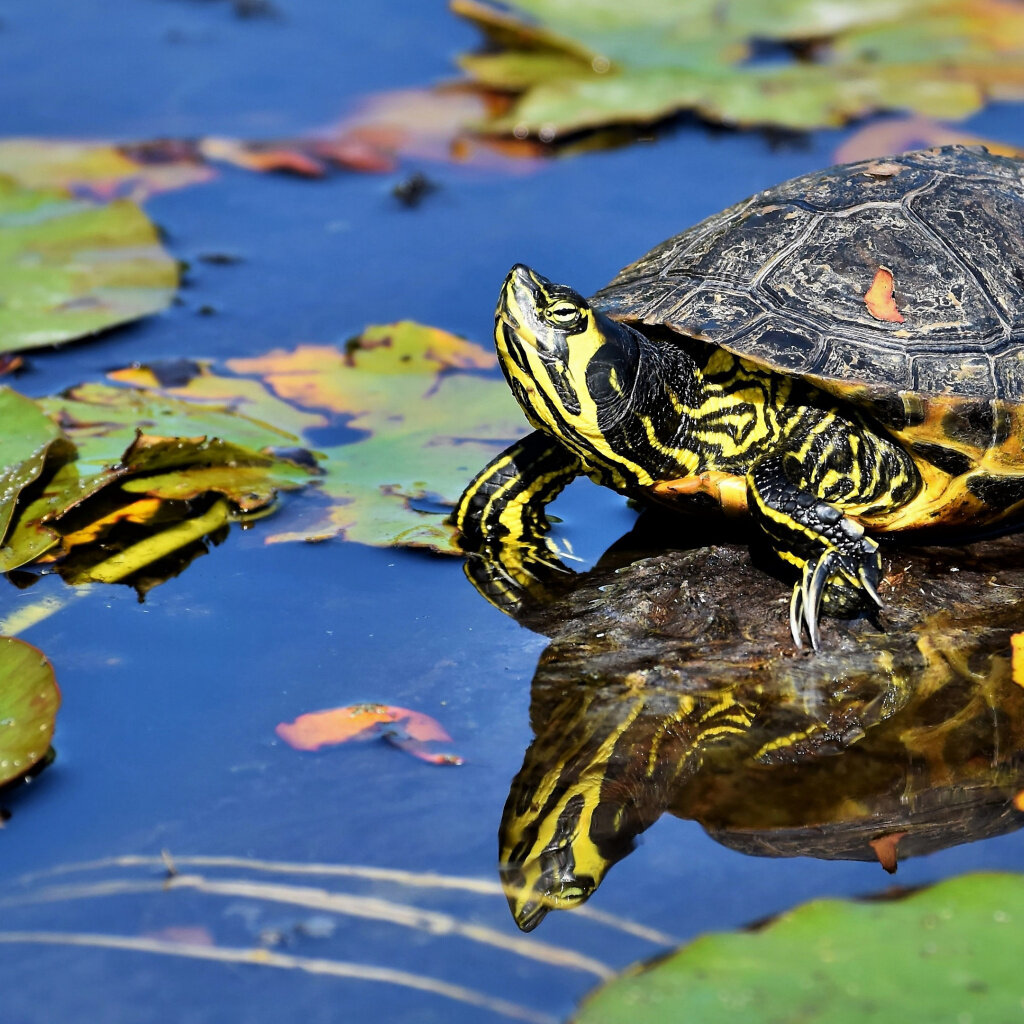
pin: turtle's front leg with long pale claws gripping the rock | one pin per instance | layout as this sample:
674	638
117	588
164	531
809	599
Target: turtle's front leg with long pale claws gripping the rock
839	564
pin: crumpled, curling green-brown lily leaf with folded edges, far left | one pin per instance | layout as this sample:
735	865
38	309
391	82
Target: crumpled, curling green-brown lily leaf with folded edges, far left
121	444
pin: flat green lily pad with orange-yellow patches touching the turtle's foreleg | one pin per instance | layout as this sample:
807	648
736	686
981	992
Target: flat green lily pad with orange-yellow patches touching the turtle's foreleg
423	416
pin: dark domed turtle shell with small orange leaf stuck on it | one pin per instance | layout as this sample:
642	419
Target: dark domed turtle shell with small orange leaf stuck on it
786	279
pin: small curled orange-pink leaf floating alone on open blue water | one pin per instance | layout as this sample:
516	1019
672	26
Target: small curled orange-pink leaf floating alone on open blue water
409	731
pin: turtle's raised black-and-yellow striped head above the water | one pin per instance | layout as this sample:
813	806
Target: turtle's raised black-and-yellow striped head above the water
573	369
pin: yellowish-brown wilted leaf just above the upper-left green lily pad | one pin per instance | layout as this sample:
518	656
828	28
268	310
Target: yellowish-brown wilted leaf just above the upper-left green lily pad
101	169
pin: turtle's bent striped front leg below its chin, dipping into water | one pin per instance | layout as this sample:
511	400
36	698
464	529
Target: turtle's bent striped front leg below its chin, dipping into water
503	523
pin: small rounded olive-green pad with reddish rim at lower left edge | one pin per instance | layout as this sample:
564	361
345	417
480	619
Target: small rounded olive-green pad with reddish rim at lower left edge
29	702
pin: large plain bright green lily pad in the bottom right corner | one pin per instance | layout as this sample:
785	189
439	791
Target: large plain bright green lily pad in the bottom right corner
948	953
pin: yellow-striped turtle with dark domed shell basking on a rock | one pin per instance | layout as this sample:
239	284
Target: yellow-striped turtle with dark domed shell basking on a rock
839	357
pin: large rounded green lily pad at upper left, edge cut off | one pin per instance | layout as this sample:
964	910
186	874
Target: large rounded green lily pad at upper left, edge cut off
70	268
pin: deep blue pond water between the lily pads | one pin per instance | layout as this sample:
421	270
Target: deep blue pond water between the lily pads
166	739
